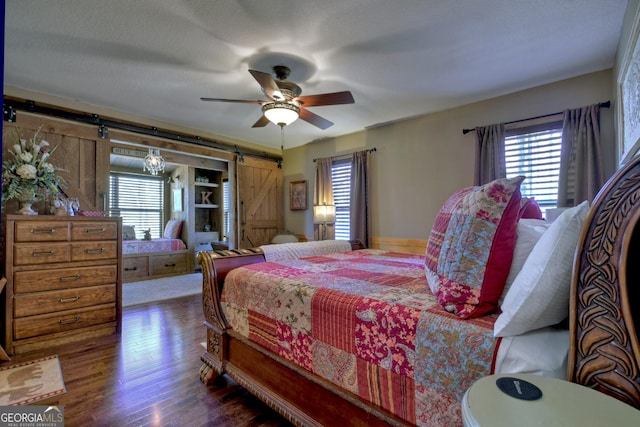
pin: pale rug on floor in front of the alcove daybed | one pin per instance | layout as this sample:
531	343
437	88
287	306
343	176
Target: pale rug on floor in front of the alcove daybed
165	288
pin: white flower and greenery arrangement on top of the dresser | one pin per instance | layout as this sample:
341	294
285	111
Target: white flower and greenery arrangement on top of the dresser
29	174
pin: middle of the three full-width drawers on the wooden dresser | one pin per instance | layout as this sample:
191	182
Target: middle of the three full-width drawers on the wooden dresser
60	300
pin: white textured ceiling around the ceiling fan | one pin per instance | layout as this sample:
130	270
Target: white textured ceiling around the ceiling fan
156	58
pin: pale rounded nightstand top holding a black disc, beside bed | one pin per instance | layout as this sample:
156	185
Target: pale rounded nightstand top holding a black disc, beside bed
562	404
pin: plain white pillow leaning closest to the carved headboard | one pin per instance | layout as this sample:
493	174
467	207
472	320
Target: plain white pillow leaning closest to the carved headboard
539	296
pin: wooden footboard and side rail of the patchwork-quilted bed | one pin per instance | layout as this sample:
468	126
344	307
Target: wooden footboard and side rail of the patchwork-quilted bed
300	396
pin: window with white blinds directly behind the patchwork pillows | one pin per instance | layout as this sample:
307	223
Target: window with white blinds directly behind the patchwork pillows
534	152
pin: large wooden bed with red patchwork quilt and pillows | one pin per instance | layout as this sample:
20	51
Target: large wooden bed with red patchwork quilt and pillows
417	376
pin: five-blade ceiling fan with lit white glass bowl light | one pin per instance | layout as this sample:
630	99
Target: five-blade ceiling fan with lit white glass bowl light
285	104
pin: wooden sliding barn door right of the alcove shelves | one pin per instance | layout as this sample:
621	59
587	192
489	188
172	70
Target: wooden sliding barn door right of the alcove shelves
260	201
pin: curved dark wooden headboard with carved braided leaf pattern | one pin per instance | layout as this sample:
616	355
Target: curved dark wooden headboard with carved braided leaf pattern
605	294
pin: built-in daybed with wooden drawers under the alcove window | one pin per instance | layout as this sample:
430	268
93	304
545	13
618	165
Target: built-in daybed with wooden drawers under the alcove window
159	257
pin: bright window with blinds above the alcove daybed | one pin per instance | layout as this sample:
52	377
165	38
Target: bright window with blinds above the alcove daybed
139	200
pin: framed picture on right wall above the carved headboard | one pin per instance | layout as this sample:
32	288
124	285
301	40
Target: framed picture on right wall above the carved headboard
629	97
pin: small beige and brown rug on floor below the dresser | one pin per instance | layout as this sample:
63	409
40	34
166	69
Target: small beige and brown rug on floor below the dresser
29	382
